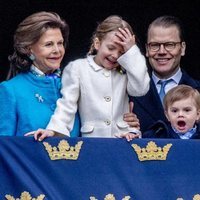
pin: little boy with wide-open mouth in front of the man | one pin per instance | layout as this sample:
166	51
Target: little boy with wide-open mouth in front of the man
182	109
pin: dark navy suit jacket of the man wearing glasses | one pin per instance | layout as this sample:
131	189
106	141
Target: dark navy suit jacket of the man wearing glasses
149	108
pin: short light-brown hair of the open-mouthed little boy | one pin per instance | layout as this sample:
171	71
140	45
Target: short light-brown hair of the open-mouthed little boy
181	92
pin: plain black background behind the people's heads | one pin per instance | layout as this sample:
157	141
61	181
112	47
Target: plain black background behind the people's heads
83	15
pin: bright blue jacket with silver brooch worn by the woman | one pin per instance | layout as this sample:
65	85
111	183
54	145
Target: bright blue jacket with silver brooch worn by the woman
27	103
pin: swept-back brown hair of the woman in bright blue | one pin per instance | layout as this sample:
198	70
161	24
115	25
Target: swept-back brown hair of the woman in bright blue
28	33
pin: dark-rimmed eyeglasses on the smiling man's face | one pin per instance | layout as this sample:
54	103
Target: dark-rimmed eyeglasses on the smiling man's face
169	46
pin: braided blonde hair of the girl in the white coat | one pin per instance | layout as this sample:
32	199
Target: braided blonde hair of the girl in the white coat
111	23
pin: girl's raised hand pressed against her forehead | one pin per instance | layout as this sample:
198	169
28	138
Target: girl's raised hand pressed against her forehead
126	39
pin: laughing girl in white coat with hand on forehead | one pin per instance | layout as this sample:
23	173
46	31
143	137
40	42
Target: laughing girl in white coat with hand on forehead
99	85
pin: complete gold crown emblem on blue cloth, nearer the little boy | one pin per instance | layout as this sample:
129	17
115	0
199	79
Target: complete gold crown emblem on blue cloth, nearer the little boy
152	151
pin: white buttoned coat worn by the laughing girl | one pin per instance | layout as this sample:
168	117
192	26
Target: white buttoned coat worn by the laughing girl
100	95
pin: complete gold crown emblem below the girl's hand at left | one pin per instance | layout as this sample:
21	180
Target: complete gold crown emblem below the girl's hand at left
63	151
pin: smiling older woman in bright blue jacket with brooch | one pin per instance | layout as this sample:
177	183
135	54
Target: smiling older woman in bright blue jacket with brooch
28	100
